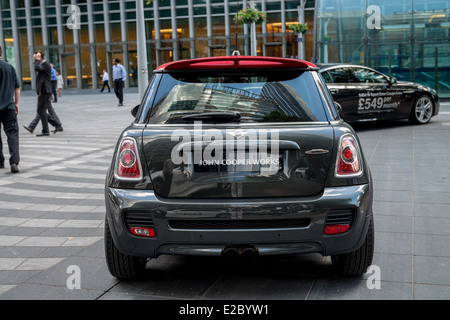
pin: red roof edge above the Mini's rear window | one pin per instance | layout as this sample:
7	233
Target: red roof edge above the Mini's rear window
235	62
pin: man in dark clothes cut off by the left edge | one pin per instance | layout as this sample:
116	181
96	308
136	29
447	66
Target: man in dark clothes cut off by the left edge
9	110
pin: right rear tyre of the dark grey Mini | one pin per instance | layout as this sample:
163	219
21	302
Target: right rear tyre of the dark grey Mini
355	263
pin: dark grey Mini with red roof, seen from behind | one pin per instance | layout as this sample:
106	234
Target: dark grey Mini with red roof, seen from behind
238	156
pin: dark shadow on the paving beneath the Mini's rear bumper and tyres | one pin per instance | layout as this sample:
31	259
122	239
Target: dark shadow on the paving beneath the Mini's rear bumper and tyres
268	277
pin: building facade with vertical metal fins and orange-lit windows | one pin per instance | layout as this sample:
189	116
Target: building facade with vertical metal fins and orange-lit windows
177	29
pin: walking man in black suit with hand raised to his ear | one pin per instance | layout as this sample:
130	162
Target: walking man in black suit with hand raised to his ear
45	112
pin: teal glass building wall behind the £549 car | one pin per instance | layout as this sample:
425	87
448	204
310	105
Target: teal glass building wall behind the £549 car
407	39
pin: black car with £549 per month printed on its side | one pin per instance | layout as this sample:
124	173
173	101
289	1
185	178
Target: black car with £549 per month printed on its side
366	94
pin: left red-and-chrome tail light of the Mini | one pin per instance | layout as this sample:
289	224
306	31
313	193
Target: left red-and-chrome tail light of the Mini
128	166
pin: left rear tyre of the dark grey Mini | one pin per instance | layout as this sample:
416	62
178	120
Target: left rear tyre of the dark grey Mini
120	265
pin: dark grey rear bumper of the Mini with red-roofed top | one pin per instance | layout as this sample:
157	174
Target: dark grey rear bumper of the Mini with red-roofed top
267	241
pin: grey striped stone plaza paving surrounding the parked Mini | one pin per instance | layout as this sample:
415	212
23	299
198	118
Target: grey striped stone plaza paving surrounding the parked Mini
52	218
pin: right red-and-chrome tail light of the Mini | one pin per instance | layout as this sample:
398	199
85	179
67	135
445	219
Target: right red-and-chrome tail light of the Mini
348	160
